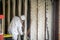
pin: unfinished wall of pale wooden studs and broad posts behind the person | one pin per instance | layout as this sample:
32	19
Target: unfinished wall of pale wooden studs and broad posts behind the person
41	17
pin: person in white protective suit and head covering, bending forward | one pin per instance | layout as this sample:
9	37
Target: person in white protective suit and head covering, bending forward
15	27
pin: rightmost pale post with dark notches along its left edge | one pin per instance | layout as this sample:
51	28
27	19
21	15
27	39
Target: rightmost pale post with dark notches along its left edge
49	13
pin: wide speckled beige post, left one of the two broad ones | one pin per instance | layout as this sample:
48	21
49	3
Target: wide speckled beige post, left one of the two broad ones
34	13
